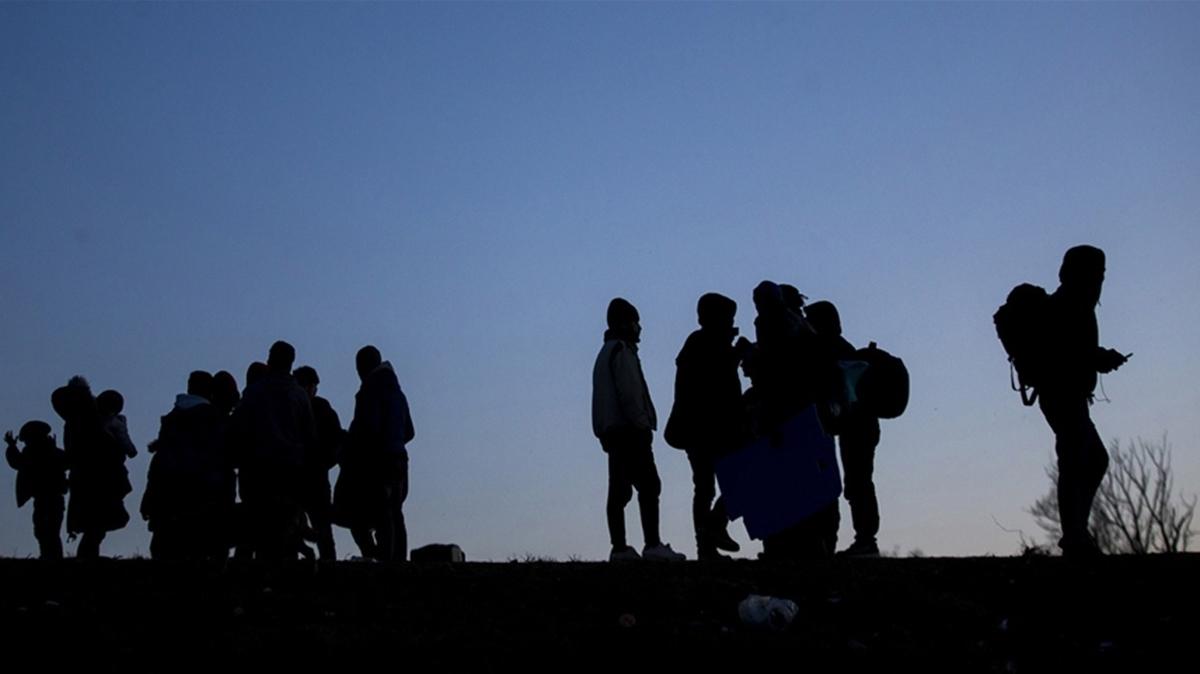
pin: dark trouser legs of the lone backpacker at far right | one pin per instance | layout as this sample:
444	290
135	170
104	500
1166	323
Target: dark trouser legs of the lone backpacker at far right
1083	462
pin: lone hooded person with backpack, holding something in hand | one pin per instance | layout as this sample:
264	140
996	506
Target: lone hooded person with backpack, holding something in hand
1058	353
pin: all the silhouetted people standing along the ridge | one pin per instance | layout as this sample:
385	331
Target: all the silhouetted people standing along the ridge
249	472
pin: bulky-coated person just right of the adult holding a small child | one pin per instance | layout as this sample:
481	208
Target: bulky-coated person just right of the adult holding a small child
185	502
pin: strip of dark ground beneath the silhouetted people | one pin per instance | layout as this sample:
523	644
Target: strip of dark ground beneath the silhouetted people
1006	615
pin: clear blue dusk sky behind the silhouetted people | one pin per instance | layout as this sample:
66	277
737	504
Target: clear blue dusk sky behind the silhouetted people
467	186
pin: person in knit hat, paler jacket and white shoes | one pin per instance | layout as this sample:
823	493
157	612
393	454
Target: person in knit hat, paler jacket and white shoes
623	419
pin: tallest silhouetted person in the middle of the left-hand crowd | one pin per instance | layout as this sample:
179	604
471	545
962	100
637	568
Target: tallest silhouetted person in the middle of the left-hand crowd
271	434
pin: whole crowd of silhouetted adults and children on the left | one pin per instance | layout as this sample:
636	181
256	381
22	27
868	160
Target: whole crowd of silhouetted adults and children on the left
245	472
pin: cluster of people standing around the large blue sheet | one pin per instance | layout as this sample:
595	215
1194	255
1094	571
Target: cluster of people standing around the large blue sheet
794	364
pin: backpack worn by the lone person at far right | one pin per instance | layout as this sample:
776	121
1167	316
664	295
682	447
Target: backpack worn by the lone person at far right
1021	324
